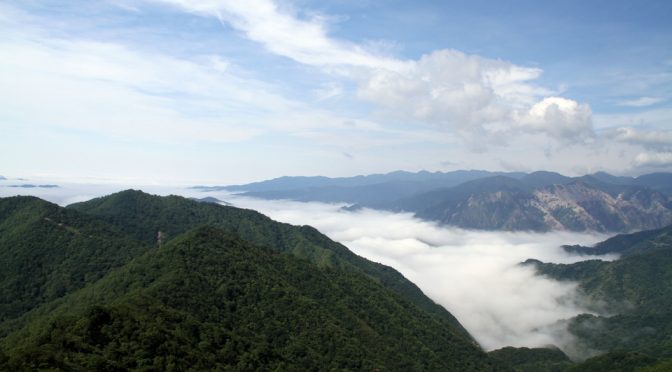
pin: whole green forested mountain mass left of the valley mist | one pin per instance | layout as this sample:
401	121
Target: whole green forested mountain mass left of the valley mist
228	288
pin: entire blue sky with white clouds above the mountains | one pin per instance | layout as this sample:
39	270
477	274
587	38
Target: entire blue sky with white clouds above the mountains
219	92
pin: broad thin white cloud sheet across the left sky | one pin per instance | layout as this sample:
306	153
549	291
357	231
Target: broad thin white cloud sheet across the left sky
111	89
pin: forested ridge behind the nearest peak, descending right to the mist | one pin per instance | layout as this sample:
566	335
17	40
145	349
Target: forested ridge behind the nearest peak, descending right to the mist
142	216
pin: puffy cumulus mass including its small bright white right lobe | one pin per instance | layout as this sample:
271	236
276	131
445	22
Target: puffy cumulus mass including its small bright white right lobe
478	97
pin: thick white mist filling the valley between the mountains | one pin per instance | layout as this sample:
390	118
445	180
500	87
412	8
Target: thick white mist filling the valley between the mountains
473	274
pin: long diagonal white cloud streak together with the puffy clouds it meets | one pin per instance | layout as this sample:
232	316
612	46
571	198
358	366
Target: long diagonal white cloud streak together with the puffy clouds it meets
476	97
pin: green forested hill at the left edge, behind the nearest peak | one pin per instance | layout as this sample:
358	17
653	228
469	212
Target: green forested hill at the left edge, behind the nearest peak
48	251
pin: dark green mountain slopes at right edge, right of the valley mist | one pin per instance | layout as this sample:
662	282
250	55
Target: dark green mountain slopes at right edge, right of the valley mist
631	297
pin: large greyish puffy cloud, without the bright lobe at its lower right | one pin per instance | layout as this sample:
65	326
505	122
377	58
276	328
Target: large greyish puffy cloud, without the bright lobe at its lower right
452	89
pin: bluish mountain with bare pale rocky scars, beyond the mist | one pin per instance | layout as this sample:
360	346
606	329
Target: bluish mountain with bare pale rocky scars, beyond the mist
575	206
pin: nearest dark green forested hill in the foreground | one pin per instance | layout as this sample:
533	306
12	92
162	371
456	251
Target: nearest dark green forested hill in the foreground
209	300
